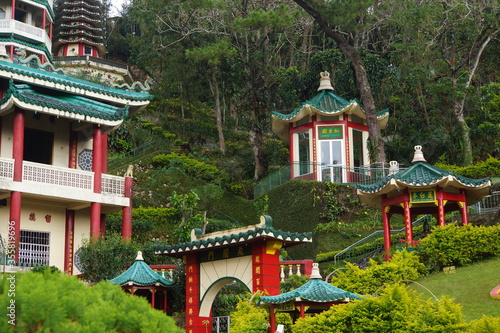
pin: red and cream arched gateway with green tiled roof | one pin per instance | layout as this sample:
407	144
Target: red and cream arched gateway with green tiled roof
249	255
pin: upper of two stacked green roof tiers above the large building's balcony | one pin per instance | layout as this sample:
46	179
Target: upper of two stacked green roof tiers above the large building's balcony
66	83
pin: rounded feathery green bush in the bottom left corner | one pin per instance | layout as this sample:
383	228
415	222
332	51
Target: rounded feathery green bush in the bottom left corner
54	302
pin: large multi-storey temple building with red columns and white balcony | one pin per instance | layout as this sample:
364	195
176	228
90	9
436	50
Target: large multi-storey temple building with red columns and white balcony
54	128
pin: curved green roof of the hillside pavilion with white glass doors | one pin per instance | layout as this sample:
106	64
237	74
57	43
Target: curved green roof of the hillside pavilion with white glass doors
326	103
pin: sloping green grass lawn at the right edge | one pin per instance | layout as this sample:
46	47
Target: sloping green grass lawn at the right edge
469	286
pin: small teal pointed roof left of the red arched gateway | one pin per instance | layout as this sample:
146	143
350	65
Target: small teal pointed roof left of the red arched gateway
140	274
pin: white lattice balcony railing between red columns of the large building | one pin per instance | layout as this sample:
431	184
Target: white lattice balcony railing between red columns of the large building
53	175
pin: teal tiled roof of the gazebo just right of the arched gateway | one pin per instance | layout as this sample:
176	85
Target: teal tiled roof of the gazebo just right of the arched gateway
316	290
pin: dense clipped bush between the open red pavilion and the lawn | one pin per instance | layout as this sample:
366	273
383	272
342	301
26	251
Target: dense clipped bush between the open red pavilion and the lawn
460	245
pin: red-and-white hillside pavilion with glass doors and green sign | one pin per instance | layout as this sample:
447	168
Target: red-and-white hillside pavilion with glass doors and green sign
327	136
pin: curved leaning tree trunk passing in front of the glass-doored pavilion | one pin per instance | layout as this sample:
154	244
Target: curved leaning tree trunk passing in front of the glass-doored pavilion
376	143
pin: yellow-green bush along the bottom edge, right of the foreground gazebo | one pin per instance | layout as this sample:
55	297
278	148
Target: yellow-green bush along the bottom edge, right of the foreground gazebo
397	309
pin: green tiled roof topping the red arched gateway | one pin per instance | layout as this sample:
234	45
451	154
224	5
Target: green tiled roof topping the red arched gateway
259	232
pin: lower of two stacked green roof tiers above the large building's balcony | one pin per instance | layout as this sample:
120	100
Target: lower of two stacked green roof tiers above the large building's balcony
64	102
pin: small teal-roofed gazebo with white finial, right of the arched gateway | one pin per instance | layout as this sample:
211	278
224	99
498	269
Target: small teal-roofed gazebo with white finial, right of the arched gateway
315	296
